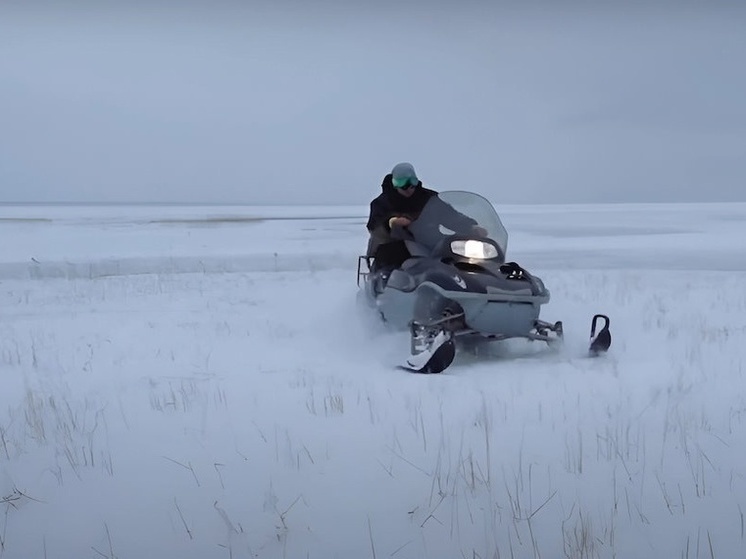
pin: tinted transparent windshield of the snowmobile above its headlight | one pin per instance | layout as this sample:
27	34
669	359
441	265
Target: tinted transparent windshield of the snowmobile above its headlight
458	212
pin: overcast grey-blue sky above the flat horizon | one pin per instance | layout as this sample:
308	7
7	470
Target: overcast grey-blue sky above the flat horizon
274	102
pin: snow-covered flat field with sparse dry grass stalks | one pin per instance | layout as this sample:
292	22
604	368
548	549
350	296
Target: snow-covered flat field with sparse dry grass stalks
198	382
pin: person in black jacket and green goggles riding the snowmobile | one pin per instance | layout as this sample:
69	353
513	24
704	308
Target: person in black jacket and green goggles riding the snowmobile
401	201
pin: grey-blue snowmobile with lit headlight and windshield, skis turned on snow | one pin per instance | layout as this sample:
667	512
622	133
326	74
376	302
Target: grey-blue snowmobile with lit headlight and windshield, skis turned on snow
456	283
